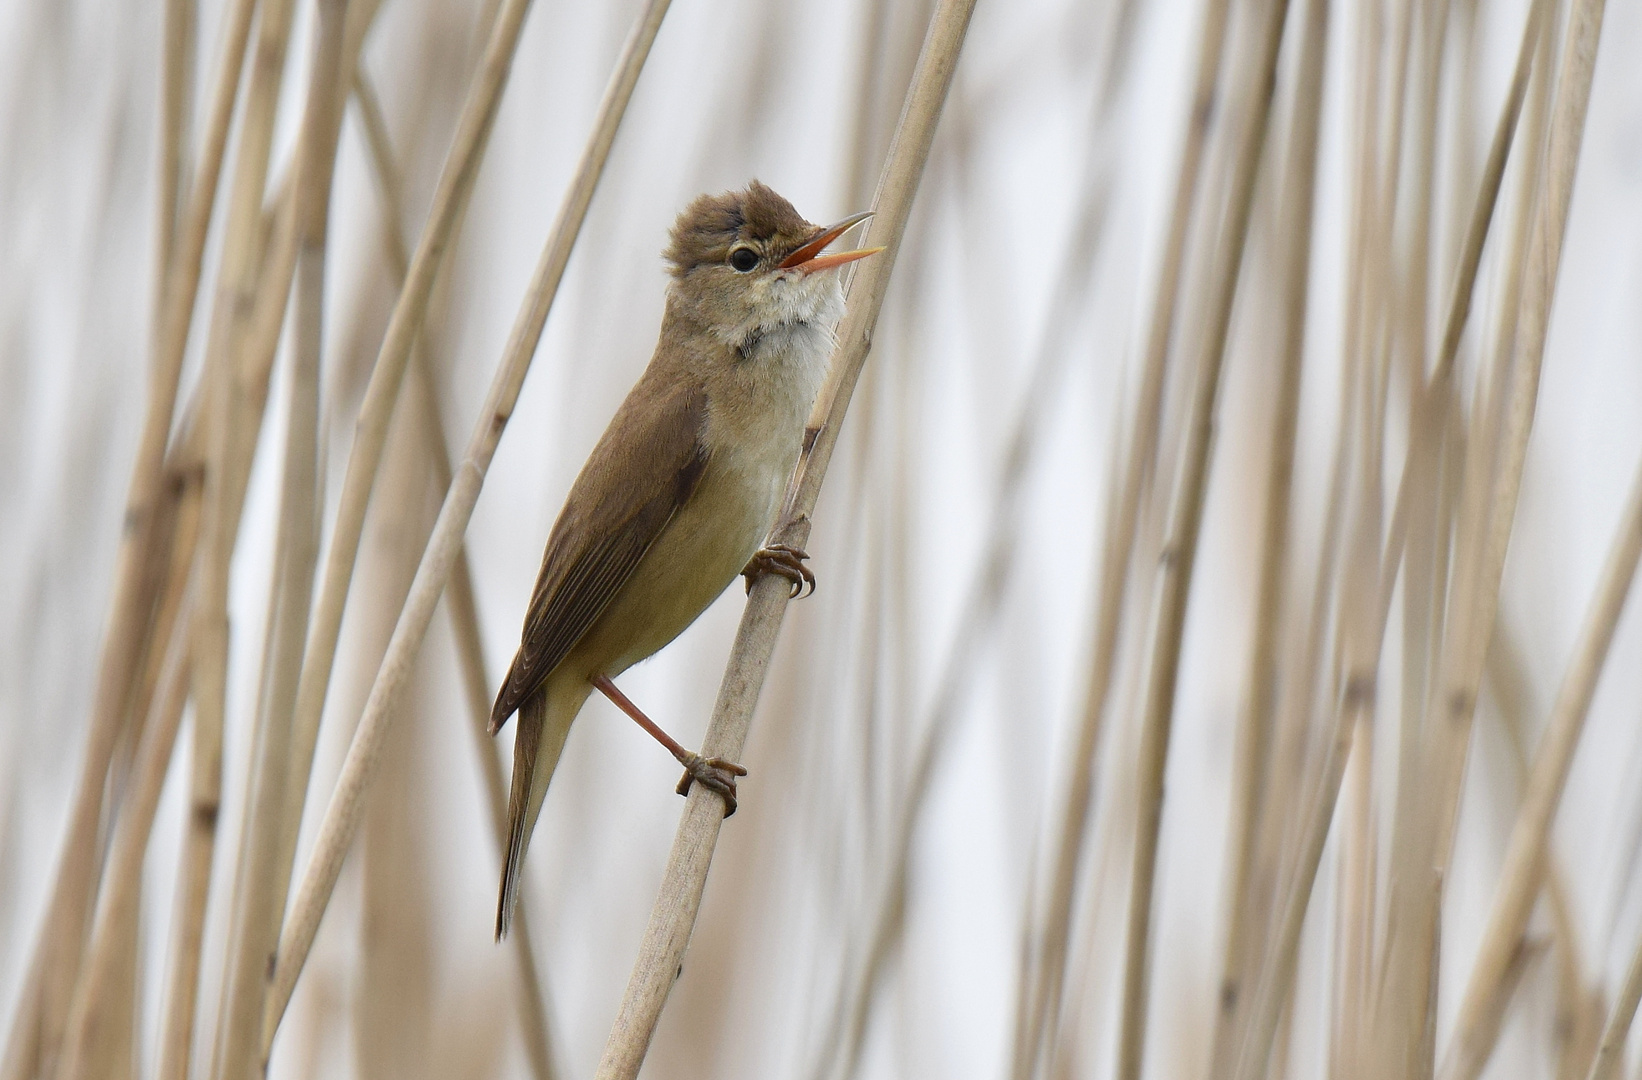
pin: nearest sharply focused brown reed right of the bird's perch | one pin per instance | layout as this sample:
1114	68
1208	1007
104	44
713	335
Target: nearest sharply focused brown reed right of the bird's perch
1181	547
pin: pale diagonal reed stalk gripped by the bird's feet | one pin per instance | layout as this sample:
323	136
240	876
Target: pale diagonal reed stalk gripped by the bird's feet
679	899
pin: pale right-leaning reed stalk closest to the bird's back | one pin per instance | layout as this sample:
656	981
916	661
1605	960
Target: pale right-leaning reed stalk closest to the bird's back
342	815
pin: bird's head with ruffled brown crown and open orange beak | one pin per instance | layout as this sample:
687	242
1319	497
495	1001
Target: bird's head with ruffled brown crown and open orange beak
746	263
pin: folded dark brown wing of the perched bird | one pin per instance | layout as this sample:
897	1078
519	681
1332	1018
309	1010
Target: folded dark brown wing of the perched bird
644	469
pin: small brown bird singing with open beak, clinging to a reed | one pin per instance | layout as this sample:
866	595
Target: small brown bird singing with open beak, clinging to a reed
682	490
